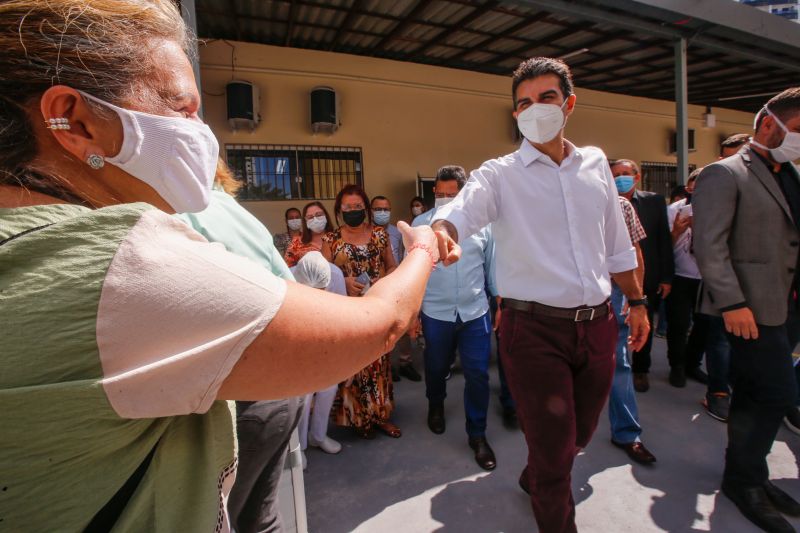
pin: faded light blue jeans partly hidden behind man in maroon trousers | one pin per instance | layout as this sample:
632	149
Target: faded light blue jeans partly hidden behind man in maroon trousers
623	414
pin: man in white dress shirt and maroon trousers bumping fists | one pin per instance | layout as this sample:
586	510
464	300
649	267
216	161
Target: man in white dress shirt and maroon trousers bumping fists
559	234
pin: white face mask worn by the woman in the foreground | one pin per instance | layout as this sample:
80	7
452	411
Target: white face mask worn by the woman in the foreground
176	156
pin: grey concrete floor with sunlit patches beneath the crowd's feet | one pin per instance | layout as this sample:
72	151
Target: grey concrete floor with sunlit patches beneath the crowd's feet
424	482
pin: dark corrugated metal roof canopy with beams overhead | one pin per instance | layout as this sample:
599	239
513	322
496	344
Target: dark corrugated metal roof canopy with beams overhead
736	56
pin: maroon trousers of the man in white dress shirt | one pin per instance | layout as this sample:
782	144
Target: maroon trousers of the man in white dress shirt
559	372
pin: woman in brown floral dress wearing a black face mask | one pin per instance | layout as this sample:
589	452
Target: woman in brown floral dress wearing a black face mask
365	401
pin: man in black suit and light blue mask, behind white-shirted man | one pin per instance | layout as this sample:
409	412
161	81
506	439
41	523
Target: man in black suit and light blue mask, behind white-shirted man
656	249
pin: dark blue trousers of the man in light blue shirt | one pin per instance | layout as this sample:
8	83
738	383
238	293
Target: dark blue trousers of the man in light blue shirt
473	339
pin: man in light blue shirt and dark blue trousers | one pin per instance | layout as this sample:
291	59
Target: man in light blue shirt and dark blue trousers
455	314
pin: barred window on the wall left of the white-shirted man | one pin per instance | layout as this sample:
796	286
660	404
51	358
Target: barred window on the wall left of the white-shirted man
291	172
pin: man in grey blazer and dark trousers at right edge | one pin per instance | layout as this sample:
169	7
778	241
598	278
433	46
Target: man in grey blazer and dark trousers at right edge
746	240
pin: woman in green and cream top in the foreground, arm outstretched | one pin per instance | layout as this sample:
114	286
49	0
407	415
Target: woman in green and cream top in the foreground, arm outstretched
124	330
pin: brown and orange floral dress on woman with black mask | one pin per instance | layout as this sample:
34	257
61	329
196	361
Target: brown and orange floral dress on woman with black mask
368	397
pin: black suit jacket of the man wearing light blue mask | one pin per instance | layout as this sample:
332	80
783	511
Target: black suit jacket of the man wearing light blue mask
659	263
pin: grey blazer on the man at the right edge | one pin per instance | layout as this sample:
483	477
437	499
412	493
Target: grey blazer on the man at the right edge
745	240
